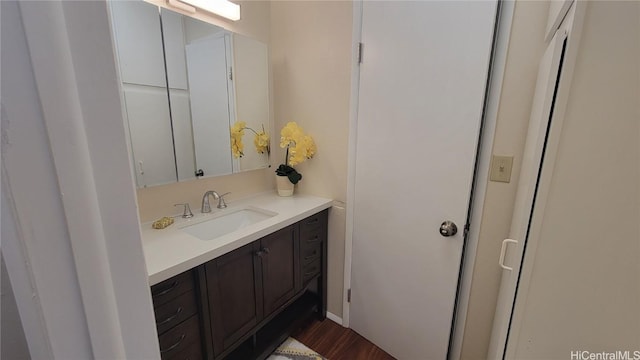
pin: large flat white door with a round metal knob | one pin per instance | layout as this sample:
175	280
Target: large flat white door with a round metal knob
422	87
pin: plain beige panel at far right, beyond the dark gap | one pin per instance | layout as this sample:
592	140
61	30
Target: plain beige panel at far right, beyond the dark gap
581	287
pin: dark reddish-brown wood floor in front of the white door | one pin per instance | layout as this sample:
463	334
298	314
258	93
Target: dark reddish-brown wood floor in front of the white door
335	342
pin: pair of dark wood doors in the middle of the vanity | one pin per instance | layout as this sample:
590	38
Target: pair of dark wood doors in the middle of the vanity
250	283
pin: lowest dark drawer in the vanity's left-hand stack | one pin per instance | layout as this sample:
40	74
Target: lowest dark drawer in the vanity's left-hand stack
181	339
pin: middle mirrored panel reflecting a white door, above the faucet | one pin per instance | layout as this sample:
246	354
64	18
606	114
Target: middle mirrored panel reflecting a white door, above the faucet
201	94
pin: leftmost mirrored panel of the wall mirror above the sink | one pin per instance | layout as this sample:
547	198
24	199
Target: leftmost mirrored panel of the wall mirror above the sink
136	28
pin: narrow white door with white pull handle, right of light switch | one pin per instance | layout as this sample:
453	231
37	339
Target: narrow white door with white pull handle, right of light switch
541	112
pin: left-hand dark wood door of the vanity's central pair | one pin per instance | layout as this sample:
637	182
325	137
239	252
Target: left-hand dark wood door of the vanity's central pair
235	295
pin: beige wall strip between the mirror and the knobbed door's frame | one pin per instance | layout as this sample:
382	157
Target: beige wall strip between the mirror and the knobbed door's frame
311	60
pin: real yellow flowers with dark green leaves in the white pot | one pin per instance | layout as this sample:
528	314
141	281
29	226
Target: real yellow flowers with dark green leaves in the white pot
300	147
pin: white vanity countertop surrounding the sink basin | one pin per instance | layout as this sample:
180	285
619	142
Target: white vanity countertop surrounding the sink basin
171	251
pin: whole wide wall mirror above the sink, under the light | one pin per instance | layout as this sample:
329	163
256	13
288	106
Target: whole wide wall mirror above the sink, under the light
185	83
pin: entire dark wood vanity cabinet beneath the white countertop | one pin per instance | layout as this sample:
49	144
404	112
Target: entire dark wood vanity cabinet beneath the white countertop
241	305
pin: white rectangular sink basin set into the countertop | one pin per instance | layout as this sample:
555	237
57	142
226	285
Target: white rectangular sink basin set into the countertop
227	222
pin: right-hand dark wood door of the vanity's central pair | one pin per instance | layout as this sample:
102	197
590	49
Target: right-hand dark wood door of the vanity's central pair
280	268
